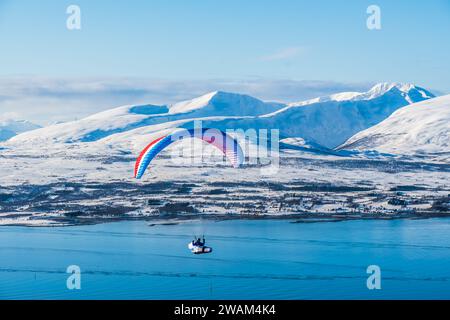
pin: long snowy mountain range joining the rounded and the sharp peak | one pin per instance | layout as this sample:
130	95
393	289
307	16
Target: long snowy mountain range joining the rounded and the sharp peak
326	121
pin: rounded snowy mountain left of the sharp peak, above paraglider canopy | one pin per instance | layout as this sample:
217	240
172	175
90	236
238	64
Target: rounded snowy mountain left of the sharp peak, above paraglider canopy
123	119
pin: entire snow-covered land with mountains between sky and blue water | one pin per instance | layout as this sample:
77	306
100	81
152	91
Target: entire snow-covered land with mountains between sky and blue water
82	171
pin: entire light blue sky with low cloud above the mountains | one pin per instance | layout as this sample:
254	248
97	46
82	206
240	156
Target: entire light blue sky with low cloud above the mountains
284	50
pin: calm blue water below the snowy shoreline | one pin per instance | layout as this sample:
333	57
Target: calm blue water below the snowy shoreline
265	259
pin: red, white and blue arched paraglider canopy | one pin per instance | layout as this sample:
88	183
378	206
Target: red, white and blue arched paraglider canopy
221	140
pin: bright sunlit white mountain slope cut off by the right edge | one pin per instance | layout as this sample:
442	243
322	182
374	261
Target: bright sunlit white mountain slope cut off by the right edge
419	128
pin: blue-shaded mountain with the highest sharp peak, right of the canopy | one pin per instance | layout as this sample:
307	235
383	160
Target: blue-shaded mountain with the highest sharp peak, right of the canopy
330	121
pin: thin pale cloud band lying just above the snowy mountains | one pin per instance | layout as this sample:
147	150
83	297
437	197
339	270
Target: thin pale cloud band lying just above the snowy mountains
49	100
